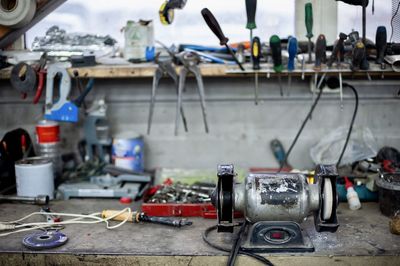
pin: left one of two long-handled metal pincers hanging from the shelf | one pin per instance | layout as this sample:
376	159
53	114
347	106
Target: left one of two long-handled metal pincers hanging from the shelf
165	66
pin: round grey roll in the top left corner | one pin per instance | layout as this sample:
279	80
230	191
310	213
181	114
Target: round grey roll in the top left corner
16	13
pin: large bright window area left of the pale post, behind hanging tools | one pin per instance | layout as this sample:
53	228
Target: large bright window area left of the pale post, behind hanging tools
108	17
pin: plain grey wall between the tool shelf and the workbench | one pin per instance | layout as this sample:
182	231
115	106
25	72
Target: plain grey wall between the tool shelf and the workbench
240	132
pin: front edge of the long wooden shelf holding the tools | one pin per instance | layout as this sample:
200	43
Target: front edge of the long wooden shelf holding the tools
146	70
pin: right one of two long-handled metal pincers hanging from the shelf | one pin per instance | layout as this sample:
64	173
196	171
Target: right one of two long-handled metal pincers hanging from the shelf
190	61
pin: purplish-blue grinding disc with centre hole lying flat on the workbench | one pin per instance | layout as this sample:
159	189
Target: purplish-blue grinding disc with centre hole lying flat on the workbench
44	240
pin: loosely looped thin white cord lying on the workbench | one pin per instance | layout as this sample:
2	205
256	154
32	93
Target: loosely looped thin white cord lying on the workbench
77	220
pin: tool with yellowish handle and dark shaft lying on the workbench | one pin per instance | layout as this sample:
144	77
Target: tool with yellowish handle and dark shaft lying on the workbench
136	217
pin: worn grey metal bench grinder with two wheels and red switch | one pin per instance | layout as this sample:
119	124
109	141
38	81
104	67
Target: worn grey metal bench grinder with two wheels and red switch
275	204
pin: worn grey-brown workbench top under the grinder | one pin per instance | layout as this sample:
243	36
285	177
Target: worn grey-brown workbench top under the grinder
363	237
